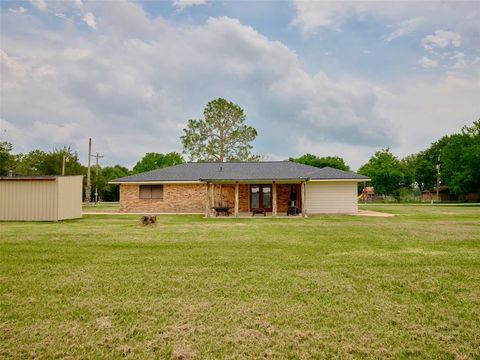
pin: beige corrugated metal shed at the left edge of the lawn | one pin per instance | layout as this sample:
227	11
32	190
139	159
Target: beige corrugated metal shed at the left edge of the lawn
40	198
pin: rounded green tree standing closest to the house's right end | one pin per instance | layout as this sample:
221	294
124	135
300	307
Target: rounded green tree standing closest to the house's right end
385	171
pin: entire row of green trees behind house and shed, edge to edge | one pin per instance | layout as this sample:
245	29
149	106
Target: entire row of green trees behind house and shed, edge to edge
222	135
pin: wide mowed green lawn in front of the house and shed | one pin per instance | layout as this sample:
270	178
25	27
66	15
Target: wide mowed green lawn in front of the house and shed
188	287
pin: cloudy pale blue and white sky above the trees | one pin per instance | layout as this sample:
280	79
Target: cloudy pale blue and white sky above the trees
331	78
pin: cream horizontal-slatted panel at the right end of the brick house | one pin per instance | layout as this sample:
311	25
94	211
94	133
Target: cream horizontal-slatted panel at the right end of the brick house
330	197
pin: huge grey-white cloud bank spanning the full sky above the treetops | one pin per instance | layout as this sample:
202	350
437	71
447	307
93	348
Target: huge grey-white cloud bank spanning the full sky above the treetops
135	82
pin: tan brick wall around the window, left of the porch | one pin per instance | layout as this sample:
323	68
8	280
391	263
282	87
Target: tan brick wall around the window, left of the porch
177	198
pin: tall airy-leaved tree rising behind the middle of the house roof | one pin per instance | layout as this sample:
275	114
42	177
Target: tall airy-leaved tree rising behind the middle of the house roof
221	135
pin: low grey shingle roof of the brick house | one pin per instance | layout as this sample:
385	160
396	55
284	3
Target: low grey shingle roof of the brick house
238	171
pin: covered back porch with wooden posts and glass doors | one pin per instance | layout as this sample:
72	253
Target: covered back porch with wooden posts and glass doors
255	199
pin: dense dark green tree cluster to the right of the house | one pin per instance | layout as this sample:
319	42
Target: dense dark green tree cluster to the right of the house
453	160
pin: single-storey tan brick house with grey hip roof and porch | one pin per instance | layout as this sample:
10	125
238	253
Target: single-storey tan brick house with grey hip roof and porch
273	186
